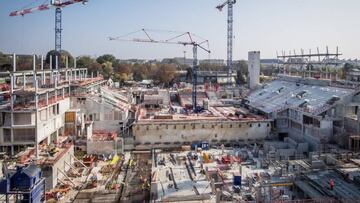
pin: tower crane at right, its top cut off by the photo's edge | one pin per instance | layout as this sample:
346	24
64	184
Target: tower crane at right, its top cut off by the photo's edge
230	4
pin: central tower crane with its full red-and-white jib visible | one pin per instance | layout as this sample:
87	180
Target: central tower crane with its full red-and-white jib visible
175	40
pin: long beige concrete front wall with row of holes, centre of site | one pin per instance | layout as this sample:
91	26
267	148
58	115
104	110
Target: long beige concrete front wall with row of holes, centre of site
170	134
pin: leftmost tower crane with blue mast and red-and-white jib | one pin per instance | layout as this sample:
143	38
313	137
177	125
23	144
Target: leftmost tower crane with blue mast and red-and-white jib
58	5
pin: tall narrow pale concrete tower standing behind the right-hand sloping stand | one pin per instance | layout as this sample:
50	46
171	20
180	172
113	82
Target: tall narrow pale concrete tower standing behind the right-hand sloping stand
254	69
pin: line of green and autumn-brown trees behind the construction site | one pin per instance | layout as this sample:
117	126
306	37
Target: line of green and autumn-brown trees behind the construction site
111	67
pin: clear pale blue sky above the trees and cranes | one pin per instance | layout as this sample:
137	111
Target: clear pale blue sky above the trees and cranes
264	25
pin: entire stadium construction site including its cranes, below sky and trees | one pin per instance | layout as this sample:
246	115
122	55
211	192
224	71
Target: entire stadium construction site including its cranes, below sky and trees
69	134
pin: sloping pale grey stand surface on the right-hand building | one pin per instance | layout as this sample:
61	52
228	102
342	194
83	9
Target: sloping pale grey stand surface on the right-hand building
308	98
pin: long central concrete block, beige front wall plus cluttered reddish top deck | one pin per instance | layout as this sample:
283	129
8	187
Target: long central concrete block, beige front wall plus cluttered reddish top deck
166	128
